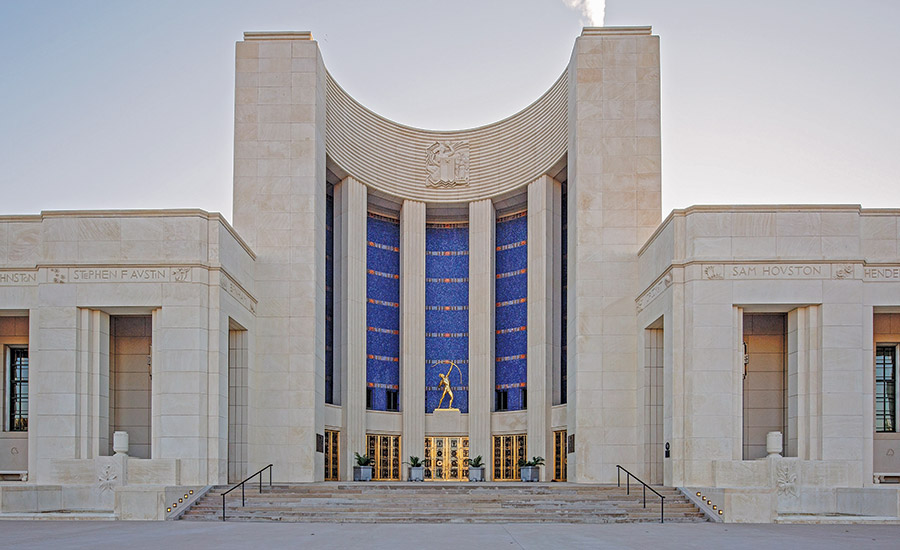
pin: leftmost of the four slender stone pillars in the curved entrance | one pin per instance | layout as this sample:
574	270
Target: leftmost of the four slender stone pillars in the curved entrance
350	299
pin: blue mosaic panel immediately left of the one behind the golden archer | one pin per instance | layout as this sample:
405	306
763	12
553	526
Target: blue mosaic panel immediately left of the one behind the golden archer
383	308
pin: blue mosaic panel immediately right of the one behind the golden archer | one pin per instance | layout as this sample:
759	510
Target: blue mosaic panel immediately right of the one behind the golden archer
511	313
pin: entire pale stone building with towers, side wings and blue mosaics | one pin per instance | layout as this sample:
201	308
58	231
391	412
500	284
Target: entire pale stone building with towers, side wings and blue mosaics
506	291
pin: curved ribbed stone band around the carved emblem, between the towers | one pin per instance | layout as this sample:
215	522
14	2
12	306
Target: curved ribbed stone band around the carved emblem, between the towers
391	157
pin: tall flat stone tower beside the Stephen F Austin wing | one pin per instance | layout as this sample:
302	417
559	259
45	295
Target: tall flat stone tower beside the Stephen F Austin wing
279	210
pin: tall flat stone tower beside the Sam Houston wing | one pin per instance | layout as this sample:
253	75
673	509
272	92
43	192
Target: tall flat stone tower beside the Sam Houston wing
614	205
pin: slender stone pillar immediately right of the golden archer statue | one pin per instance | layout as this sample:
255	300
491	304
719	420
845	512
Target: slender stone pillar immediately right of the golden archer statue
481	329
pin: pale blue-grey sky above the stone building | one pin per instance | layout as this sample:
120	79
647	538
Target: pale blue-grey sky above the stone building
120	104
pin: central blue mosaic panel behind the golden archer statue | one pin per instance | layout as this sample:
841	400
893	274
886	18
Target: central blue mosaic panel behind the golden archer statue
447	312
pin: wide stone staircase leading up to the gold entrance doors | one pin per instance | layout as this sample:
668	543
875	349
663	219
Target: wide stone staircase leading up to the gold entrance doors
378	502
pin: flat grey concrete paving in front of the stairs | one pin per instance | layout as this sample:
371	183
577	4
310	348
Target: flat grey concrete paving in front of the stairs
258	536
